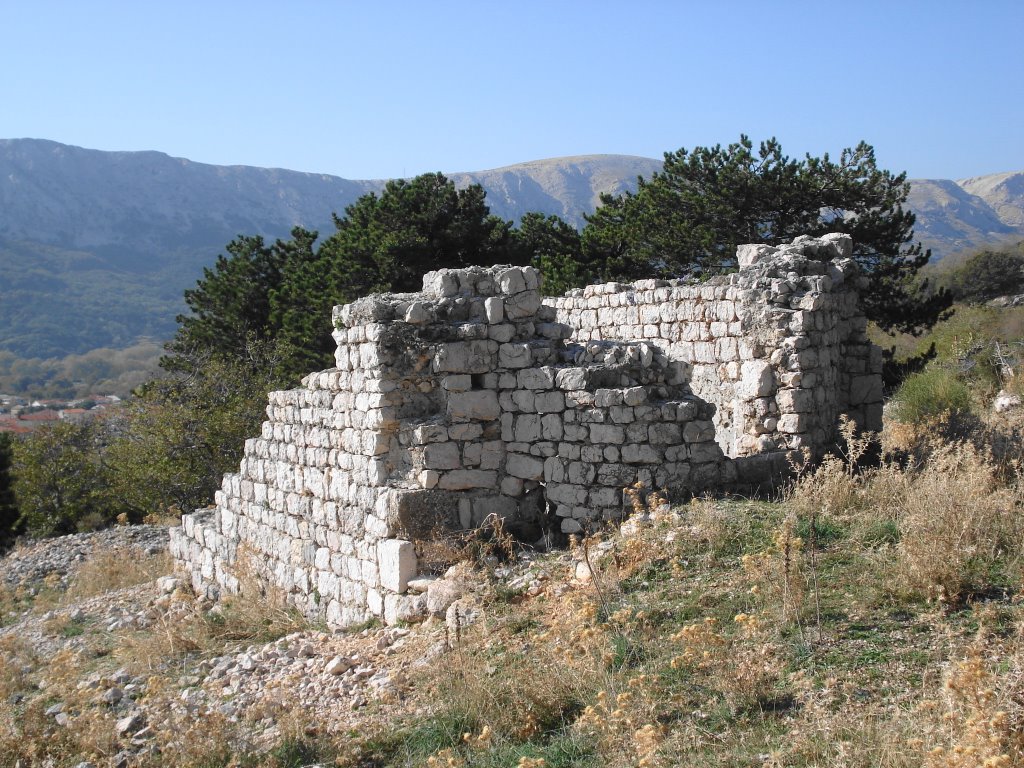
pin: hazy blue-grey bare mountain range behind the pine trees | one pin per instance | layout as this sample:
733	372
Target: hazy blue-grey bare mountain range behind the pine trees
98	247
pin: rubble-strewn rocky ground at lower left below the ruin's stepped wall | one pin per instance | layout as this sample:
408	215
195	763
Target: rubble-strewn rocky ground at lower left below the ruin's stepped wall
112	654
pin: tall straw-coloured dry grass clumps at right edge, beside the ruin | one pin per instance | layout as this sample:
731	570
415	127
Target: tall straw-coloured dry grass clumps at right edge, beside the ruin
955	520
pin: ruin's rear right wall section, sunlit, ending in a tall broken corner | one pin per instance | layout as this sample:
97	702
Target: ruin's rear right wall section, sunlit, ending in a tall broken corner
780	349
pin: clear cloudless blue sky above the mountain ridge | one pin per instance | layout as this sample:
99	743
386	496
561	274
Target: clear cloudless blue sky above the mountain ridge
378	89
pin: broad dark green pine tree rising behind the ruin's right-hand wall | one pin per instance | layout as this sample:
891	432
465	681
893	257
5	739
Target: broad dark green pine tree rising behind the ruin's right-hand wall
691	218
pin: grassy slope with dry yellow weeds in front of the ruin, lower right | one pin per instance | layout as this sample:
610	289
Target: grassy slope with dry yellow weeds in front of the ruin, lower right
806	633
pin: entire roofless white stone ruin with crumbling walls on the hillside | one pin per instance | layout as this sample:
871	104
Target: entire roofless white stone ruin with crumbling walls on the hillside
476	398
